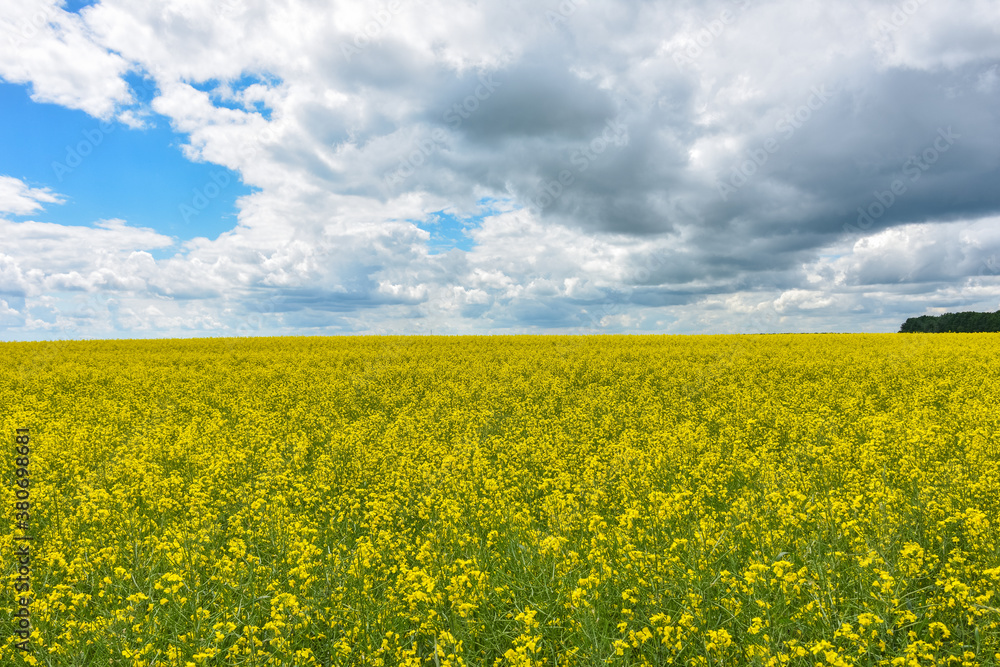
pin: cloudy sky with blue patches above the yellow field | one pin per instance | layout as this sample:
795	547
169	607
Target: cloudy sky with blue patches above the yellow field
295	167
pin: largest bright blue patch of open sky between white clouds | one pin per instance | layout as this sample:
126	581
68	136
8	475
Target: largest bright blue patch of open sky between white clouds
139	175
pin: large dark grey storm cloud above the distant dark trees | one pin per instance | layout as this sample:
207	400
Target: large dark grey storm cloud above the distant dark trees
932	134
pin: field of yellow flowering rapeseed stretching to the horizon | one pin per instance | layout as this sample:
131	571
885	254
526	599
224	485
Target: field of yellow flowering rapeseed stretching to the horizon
718	500
